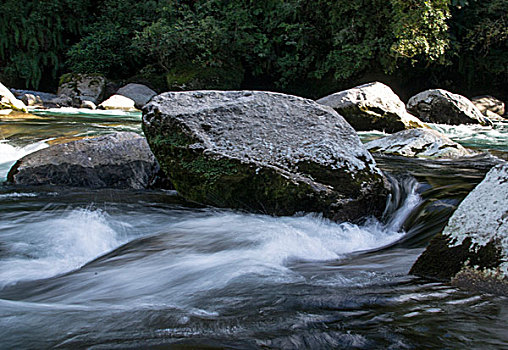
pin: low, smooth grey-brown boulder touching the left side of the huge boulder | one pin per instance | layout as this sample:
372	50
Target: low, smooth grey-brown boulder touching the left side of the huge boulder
121	160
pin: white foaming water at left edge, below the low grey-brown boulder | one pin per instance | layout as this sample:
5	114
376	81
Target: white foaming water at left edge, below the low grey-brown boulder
44	247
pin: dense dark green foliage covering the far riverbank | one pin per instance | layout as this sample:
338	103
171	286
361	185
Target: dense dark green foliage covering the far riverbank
300	46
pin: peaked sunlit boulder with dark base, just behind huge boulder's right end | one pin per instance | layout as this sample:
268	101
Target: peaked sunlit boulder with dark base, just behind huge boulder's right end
372	106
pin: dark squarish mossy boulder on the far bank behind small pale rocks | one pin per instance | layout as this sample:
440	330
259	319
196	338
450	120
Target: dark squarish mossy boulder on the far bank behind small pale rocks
79	87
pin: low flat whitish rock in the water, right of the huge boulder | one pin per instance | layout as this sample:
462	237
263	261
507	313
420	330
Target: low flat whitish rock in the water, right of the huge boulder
421	143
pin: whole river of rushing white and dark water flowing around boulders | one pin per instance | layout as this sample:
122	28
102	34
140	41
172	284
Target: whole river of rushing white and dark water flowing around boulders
144	269
